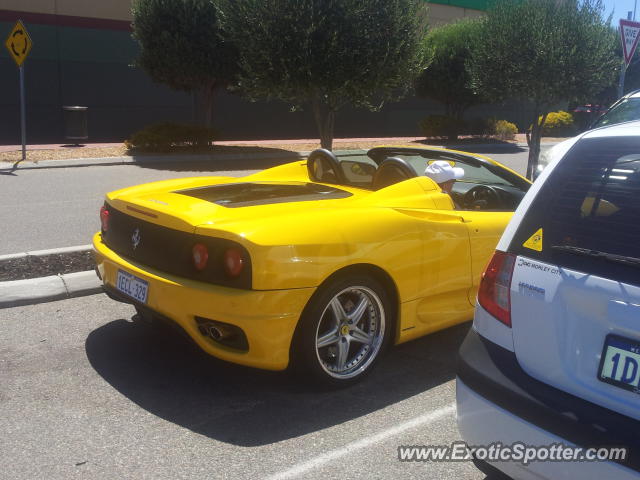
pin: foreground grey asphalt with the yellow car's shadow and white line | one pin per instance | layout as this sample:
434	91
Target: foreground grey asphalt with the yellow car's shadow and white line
88	393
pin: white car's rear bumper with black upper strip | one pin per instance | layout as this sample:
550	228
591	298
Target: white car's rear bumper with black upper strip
499	402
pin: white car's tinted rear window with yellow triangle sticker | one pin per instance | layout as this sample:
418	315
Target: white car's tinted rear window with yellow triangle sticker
587	214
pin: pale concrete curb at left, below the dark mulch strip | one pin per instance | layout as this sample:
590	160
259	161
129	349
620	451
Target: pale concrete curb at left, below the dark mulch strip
47	289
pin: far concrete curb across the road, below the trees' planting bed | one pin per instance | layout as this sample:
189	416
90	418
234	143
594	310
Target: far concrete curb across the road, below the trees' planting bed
199	158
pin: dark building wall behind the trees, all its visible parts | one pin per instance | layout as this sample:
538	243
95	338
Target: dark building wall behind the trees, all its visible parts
82	55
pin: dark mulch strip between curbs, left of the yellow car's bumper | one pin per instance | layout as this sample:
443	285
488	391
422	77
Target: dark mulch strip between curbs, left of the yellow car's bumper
34	267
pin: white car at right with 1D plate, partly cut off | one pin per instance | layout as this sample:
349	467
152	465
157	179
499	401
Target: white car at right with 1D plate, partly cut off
553	357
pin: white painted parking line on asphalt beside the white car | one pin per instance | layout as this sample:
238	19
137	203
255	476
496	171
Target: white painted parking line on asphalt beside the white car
303	467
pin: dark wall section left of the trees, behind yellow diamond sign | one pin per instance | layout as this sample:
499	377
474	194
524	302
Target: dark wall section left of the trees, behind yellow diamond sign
80	61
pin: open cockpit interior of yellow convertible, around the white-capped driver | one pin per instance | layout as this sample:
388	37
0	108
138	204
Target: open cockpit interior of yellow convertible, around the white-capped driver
485	186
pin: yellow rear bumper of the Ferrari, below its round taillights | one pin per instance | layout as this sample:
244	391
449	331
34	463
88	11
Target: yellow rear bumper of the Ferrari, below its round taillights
268	318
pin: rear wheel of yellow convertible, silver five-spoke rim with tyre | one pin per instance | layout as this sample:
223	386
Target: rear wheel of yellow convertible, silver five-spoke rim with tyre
343	331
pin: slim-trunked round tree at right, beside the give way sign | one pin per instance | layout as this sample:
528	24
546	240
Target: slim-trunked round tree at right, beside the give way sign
544	52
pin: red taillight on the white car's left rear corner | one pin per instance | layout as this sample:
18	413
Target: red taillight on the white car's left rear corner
493	294
